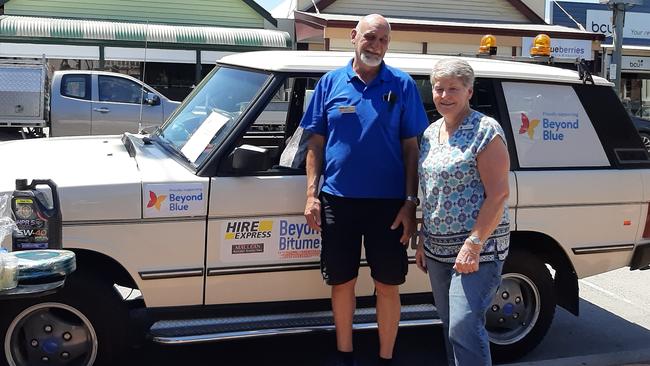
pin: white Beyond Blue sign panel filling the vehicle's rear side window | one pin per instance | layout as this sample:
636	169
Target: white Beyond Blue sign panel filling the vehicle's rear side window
551	128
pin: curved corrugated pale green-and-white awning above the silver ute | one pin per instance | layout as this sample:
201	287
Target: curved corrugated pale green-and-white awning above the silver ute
77	29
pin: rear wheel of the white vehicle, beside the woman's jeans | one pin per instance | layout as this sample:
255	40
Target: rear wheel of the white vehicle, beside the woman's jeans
523	307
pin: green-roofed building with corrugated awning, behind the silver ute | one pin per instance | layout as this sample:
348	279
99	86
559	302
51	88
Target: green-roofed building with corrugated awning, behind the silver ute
169	45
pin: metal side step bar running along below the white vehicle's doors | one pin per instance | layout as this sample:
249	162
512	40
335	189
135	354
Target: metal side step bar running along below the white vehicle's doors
217	329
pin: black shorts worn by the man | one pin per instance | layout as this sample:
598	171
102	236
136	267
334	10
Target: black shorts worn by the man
345	223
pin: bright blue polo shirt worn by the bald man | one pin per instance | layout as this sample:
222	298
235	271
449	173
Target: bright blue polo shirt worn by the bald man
363	127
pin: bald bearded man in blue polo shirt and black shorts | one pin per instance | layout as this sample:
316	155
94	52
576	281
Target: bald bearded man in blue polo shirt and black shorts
364	119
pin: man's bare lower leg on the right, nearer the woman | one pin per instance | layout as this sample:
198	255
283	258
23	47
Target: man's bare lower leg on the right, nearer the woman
388	314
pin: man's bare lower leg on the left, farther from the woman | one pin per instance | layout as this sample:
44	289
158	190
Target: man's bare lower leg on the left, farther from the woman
343	304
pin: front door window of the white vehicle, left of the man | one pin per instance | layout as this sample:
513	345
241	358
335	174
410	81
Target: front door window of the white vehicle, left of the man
276	132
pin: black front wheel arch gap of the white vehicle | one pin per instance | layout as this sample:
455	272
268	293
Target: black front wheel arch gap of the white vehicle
105	267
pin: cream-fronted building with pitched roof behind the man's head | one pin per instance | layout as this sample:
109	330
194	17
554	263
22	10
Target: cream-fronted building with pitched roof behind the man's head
440	27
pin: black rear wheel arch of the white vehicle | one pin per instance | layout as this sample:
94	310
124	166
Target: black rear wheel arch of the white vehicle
550	251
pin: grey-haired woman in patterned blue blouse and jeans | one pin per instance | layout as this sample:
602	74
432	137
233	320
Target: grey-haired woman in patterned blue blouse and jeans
463	171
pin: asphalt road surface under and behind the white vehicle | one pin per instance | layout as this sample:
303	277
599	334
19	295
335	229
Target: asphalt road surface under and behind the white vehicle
613	329
